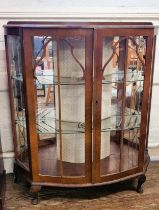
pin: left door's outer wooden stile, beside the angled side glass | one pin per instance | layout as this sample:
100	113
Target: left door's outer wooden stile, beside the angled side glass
31	104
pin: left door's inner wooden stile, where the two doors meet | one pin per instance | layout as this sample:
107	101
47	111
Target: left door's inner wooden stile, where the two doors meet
88	104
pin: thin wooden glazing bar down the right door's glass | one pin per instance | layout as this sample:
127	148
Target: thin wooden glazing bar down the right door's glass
123	103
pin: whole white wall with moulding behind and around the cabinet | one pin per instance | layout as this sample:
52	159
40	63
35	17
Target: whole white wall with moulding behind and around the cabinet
92	10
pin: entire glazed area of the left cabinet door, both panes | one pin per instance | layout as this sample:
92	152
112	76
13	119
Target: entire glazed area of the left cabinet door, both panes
59	71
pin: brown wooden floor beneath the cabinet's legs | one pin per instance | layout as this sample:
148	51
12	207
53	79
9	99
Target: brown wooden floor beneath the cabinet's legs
112	197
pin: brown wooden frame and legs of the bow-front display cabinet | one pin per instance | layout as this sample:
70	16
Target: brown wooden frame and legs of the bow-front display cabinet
93	34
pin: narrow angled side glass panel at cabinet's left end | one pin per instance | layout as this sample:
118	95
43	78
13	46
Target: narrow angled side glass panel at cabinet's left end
19	102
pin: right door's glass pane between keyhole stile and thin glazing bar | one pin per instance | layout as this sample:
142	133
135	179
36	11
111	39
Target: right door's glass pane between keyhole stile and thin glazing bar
111	106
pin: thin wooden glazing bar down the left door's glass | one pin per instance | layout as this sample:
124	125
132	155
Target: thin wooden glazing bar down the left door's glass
59	105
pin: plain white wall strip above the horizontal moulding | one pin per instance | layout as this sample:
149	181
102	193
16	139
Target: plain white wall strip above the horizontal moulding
64	4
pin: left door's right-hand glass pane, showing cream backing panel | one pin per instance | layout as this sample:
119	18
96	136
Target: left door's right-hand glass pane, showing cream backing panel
72	67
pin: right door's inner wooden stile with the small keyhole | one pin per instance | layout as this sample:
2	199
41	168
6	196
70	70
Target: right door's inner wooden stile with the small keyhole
97	94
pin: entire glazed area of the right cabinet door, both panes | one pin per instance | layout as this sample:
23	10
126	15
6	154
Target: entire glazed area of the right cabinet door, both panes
122	90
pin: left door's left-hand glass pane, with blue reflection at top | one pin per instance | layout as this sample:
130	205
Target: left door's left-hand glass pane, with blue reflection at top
43	67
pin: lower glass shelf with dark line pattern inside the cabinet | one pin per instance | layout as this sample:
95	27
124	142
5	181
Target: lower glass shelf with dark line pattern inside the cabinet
46	123
